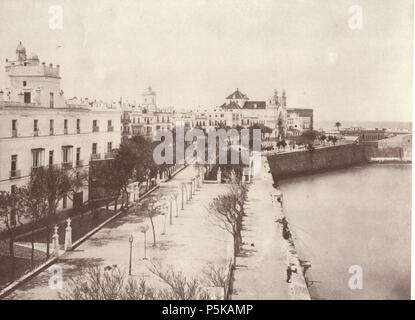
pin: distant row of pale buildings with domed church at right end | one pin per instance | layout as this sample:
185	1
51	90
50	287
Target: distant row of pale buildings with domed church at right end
237	110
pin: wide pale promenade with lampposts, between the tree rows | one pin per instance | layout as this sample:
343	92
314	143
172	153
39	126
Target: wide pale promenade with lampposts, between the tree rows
190	244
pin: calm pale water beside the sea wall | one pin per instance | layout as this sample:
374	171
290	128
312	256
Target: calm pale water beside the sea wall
357	216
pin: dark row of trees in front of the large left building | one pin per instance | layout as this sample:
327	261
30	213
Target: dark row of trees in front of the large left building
38	201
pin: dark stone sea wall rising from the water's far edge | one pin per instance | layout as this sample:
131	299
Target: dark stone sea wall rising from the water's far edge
291	164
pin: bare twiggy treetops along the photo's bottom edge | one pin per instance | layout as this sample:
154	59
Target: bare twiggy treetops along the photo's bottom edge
110	283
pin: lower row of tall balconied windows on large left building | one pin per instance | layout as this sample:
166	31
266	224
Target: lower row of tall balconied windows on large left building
38	158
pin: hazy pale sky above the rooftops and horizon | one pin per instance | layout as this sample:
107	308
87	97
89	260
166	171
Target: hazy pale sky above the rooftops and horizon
196	52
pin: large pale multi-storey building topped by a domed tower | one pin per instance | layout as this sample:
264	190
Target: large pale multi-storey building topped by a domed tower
39	127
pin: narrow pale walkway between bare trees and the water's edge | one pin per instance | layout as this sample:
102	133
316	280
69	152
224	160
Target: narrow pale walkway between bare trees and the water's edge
261	268
